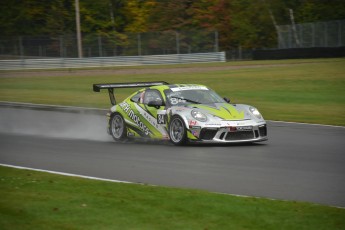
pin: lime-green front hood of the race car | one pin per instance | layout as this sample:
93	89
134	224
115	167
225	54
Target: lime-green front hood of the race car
222	110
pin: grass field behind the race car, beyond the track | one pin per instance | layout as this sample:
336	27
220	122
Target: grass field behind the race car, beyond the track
309	90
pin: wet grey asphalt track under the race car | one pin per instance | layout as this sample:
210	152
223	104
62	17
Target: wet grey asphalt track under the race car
299	162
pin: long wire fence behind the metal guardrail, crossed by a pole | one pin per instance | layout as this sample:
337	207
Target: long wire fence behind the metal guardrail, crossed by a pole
150	43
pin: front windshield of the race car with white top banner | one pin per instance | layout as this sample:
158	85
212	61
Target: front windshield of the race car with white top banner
199	95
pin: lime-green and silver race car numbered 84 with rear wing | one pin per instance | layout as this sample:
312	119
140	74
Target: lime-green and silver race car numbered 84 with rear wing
181	113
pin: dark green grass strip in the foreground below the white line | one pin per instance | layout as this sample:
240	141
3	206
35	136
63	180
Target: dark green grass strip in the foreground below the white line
36	200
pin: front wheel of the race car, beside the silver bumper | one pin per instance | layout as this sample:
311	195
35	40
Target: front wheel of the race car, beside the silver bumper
177	131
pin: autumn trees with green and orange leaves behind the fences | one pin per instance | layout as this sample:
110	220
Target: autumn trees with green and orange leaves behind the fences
245	23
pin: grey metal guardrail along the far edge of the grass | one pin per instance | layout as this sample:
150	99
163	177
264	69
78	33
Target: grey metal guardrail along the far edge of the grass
56	63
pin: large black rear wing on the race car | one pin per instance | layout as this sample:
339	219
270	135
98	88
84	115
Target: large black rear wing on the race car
111	86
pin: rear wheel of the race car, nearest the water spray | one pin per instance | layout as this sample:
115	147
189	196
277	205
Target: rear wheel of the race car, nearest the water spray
117	127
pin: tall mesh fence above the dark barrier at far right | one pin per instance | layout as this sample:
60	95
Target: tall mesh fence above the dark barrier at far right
307	35
